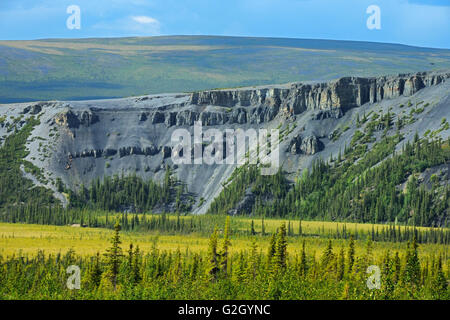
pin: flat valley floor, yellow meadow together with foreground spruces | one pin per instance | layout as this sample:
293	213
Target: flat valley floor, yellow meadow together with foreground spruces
238	260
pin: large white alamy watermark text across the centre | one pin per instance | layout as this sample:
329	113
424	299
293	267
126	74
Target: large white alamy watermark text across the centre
228	146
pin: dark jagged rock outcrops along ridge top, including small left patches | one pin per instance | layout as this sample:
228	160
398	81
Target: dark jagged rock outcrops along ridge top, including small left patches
255	106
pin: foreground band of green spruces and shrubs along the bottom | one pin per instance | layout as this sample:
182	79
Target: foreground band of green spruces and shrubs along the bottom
123	271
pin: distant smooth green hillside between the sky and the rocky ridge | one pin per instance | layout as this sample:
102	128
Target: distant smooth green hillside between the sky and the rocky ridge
118	67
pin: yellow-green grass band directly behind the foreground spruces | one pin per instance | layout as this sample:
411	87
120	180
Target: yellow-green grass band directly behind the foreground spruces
27	239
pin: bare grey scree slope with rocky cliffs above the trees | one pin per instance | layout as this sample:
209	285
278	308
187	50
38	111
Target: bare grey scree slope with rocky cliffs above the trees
79	141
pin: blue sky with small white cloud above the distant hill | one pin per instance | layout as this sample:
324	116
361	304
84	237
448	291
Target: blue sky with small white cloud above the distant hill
414	22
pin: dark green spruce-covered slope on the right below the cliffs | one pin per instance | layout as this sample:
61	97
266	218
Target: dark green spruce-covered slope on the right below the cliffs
365	190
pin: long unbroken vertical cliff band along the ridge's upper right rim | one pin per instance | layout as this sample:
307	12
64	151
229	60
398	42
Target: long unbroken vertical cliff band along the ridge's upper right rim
347	92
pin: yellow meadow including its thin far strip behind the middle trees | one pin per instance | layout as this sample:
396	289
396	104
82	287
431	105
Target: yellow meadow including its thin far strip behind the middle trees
28	239
